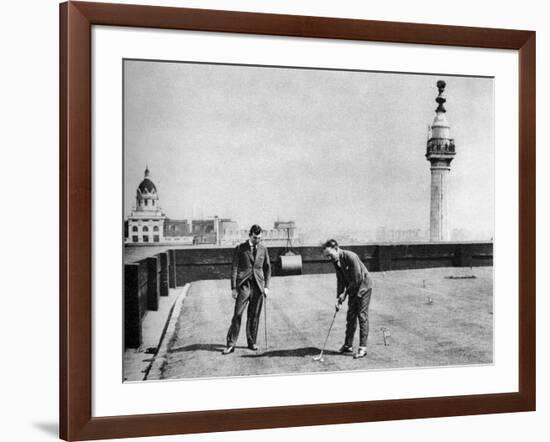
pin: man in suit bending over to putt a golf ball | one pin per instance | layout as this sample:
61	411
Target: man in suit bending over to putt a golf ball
353	281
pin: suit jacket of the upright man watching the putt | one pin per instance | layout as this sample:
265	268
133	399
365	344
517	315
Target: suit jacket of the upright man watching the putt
244	266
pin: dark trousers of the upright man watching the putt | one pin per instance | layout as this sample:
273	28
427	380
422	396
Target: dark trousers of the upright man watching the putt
251	295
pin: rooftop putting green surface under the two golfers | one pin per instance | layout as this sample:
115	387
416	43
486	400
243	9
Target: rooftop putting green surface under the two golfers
435	317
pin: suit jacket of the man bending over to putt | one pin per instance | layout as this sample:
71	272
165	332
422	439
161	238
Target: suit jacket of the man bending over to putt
352	275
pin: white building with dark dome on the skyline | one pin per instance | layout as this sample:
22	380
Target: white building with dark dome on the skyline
146	222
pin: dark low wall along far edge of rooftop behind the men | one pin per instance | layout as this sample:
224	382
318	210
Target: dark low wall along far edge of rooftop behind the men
196	264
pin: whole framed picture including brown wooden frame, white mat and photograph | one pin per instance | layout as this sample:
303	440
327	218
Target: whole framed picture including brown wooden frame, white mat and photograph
275	220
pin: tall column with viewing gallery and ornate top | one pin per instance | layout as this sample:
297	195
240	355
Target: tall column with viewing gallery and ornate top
440	152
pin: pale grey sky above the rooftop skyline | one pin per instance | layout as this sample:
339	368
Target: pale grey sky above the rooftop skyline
332	150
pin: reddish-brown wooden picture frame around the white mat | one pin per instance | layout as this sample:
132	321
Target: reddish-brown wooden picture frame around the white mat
76	21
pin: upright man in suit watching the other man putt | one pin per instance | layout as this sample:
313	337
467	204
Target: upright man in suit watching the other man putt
250	275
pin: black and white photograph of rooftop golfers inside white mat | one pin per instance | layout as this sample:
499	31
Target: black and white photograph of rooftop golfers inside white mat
284	220
